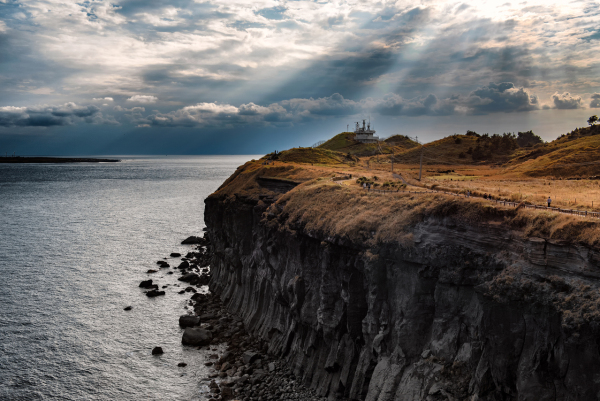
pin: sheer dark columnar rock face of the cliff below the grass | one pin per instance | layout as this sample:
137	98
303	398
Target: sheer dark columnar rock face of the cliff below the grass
463	312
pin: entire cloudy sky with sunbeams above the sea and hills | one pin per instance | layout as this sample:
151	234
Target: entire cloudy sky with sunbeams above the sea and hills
248	77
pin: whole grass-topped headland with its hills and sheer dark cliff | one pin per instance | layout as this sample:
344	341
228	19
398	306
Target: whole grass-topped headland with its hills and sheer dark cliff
410	290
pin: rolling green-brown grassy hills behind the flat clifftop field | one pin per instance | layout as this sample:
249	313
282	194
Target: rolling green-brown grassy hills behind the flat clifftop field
575	154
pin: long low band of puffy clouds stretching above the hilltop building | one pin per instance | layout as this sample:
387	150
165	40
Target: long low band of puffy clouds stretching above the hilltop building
503	97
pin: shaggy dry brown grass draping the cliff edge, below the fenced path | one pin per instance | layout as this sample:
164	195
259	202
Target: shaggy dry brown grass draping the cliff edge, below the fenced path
334	210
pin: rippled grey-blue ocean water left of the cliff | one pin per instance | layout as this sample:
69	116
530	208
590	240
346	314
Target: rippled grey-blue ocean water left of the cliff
75	241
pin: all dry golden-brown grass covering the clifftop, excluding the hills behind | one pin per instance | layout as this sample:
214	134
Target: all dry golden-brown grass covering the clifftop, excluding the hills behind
350	212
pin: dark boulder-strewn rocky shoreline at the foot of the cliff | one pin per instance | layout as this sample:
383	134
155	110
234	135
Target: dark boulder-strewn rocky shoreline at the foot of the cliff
245	371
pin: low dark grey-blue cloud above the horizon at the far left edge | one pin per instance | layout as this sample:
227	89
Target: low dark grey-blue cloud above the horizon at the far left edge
48	116
